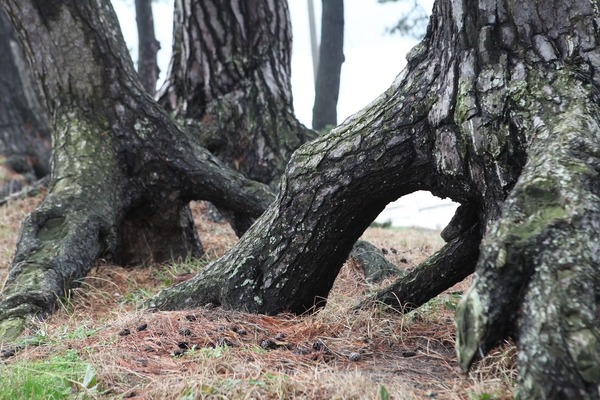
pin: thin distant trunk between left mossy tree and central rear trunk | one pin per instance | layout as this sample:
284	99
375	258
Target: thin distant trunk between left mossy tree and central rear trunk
148	46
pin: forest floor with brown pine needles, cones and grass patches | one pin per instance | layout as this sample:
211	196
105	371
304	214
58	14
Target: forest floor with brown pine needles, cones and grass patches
102	343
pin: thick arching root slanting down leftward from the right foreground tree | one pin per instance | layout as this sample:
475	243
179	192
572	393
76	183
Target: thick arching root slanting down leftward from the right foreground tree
333	189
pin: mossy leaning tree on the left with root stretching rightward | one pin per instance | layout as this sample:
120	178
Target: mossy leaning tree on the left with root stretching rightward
120	165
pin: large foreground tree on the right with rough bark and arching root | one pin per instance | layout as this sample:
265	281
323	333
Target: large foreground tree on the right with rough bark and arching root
497	109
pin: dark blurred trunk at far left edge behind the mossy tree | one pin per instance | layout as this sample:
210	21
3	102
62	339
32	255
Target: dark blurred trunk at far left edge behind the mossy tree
24	128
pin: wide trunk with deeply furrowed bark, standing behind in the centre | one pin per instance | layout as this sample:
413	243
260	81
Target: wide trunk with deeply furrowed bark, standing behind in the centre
229	83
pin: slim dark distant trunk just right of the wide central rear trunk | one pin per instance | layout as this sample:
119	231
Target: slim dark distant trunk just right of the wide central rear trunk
331	57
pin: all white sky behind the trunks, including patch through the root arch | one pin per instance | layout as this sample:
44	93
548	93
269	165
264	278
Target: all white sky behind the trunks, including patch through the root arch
373	59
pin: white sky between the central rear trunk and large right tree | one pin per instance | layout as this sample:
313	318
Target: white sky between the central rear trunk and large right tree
373	57
